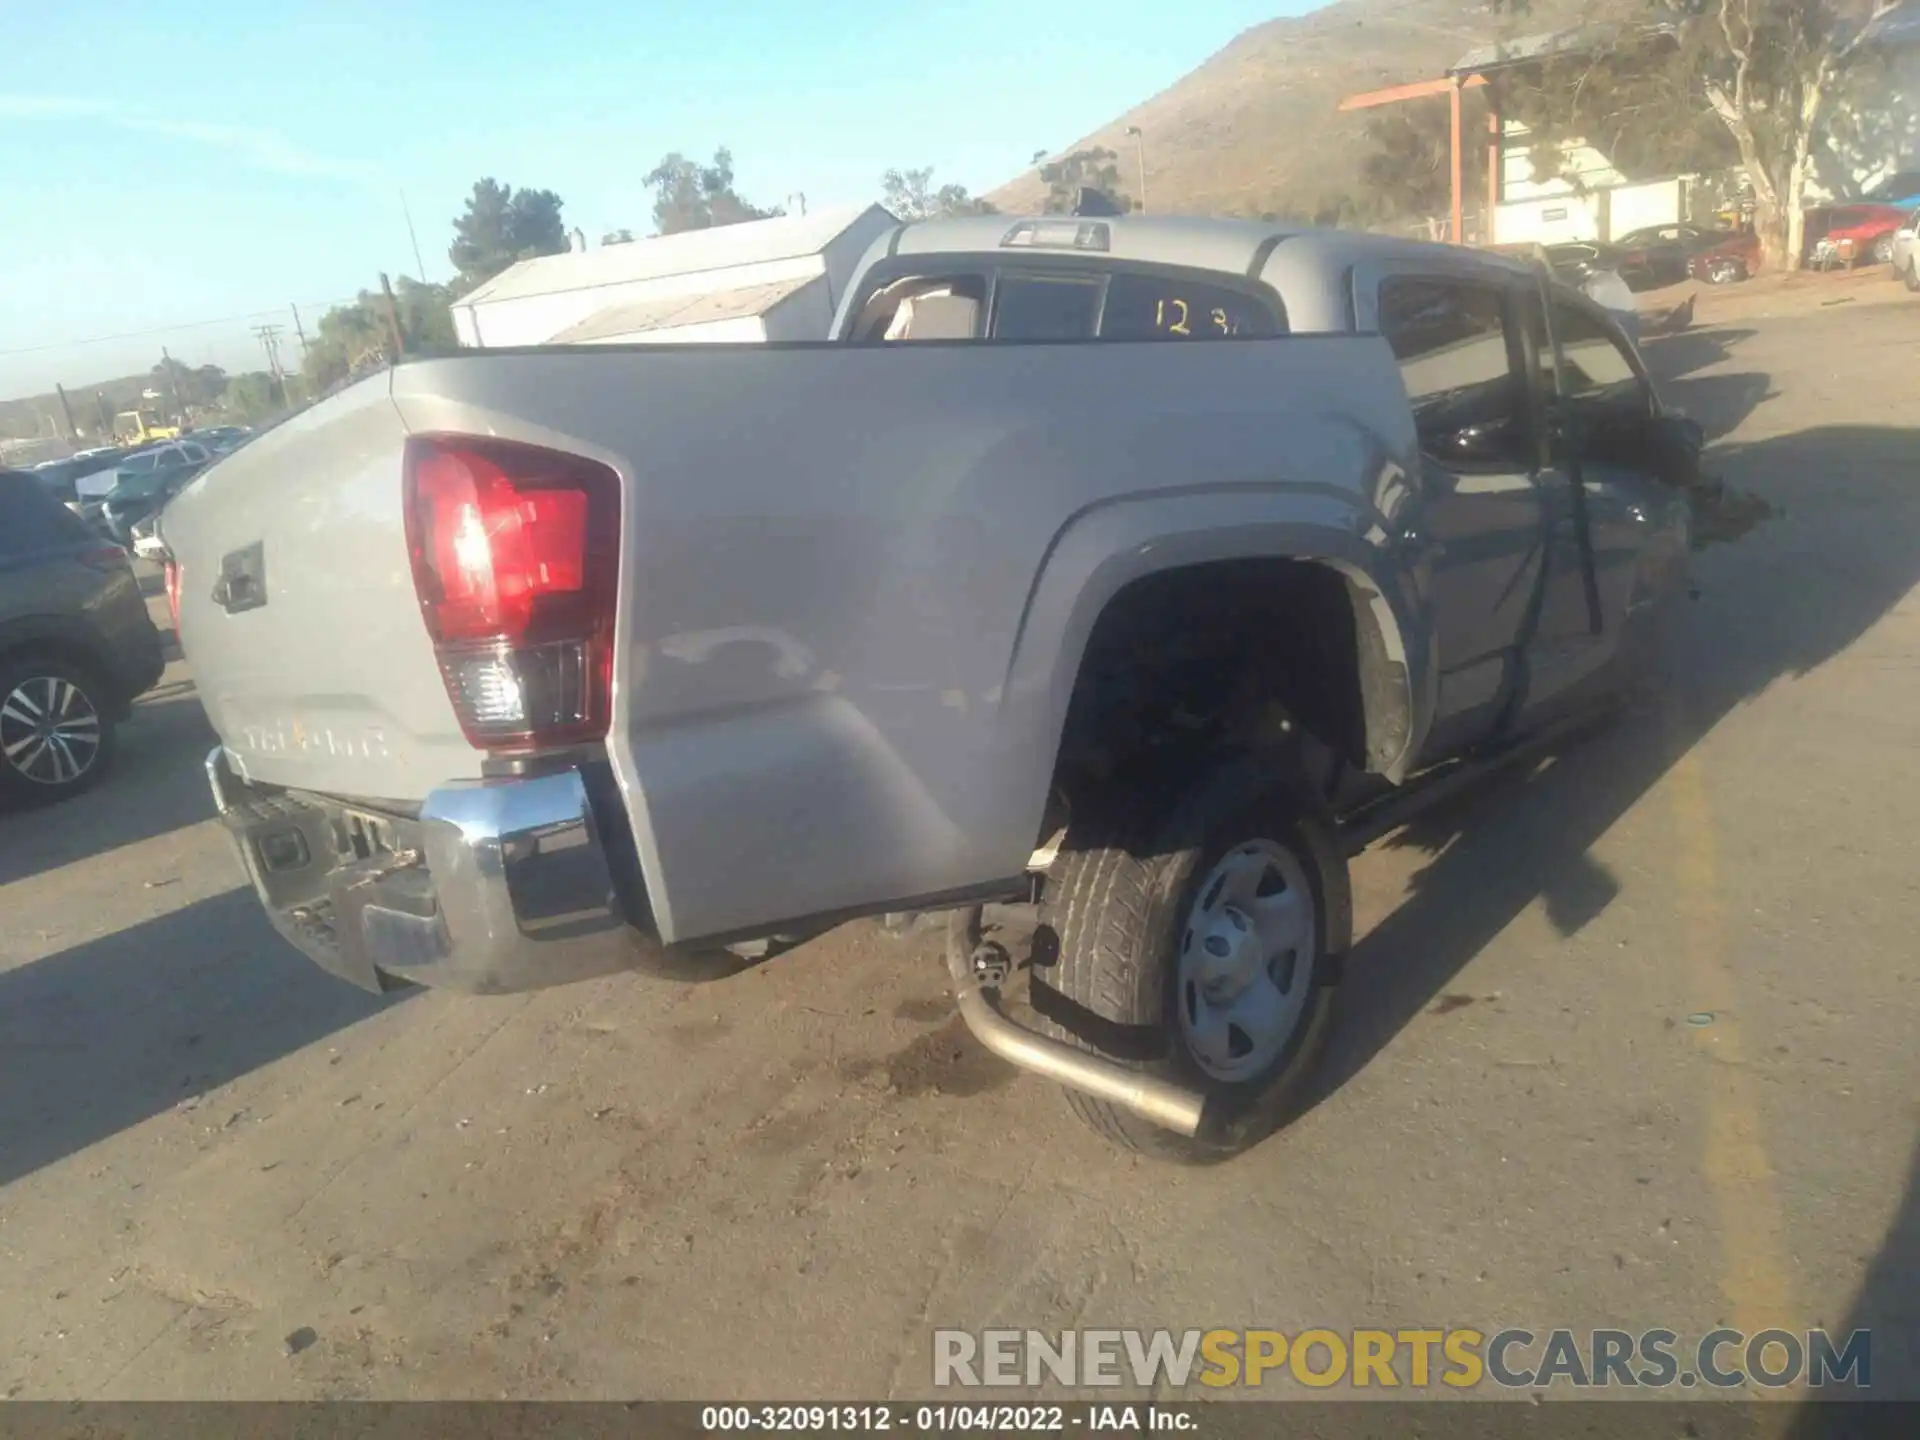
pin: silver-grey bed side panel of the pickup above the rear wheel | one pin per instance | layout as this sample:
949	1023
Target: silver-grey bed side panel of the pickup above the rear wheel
830	558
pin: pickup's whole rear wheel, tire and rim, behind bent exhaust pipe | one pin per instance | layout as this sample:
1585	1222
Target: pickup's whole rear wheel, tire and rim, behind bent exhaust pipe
1205	951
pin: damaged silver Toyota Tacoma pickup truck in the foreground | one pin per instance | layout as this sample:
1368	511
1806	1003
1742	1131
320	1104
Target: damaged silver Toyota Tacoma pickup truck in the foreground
1101	585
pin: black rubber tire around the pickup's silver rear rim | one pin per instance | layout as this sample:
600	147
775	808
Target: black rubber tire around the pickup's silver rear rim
1118	901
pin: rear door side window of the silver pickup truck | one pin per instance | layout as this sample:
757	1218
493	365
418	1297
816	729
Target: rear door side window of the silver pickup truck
1451	339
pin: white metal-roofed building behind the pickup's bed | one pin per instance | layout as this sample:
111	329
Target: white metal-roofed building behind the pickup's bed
757	281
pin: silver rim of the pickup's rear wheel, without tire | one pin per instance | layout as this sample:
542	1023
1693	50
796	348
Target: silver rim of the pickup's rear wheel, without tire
1247	961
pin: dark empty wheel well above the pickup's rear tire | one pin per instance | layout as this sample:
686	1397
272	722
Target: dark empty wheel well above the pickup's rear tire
1220	656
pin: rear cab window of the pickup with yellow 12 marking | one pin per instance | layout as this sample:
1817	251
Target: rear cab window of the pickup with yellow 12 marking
1053	300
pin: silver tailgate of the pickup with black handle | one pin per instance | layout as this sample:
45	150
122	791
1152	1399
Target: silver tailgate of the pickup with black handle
299	612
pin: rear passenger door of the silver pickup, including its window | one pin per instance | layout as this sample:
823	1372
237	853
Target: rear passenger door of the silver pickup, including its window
1458	345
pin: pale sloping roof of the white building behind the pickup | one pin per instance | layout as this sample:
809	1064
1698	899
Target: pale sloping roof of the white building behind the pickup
656	258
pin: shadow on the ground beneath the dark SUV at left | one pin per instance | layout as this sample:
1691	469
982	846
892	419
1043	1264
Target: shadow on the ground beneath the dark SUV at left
156	786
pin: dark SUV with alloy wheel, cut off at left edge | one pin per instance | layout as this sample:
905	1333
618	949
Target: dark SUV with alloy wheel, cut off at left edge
76	644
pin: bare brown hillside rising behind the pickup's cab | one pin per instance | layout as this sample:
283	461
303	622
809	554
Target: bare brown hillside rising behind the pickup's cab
1257	128
